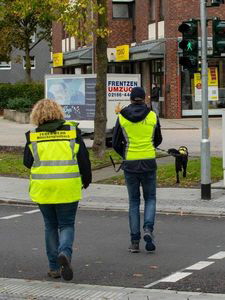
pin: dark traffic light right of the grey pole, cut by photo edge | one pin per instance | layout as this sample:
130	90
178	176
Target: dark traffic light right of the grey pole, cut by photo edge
218	37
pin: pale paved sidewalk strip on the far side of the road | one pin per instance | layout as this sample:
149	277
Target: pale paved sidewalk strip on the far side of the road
112	197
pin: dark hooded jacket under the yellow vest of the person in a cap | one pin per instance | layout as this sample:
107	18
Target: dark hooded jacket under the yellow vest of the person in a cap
135	113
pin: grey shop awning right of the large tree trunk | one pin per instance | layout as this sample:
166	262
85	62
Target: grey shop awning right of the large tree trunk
148	50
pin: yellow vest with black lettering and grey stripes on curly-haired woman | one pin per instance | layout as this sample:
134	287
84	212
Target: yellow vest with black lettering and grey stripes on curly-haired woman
55	176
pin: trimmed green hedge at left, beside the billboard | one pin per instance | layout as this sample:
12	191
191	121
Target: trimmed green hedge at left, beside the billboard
33	92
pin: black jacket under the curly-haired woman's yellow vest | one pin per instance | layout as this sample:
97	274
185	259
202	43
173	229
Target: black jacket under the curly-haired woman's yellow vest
82	155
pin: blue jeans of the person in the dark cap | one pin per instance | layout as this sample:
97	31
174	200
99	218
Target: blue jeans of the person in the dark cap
148	182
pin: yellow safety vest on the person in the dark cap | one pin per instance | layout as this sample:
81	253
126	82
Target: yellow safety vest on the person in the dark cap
139	137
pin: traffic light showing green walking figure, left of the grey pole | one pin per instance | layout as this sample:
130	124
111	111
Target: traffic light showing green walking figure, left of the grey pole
189	45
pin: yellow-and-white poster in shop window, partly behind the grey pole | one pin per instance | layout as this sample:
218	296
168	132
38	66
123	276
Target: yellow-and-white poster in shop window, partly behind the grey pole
213	90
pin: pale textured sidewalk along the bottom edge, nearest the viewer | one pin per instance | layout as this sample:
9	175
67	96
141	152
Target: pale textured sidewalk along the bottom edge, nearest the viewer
19	289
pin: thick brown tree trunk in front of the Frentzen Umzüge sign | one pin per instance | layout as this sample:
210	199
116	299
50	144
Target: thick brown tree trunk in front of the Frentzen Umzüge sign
101	70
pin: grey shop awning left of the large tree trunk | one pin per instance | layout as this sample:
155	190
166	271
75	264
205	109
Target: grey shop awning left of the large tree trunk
78	57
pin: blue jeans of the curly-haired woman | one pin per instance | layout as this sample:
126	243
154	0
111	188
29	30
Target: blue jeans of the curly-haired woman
59	230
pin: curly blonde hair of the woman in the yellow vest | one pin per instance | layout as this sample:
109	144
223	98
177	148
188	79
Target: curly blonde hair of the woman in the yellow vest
46	110
